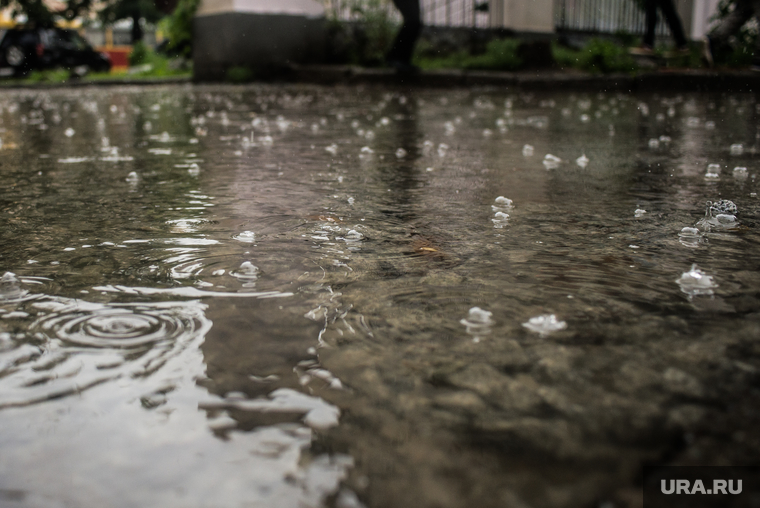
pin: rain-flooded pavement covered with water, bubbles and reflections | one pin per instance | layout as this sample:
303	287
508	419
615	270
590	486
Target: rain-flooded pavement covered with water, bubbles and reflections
284	296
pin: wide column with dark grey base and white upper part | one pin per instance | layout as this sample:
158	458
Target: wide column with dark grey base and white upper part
259	34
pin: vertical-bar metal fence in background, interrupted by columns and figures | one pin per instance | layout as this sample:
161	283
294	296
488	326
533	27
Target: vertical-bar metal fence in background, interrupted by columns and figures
586	16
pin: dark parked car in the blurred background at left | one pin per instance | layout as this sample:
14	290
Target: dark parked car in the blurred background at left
26	49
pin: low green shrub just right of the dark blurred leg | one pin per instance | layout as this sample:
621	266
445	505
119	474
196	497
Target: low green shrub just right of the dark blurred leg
500	54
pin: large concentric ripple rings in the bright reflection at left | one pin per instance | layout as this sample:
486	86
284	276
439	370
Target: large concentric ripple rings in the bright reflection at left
73	345
